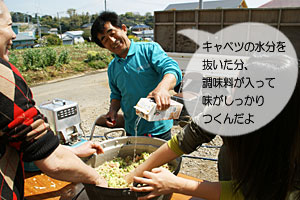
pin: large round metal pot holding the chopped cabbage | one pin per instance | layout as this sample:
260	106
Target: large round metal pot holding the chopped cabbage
124	146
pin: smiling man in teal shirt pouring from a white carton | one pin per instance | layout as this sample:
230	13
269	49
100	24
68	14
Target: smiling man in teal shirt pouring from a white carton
138	70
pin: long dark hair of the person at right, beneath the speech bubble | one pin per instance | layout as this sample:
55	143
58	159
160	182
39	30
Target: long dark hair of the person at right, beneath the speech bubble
265	164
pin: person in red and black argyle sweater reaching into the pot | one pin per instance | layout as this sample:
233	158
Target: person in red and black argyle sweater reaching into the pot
24	135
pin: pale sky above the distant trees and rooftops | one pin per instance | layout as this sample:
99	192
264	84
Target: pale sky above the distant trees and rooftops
51	7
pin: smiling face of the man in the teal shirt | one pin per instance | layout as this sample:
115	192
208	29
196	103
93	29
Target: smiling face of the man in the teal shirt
115	39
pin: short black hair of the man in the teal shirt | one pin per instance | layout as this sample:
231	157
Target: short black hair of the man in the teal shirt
98	25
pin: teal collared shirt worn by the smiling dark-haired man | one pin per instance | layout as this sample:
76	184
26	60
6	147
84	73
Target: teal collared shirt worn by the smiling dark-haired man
135	77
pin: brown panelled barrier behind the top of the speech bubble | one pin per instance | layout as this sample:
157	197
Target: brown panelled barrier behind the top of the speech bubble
168	23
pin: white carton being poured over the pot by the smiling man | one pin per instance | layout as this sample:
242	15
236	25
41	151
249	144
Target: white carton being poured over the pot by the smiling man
146	108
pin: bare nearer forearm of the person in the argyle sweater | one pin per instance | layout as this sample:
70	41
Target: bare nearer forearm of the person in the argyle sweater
64	165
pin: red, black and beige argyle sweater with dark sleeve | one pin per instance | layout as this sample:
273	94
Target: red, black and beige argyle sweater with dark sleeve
24	136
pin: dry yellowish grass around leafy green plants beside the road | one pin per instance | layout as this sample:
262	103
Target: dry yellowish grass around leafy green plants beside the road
78	55
